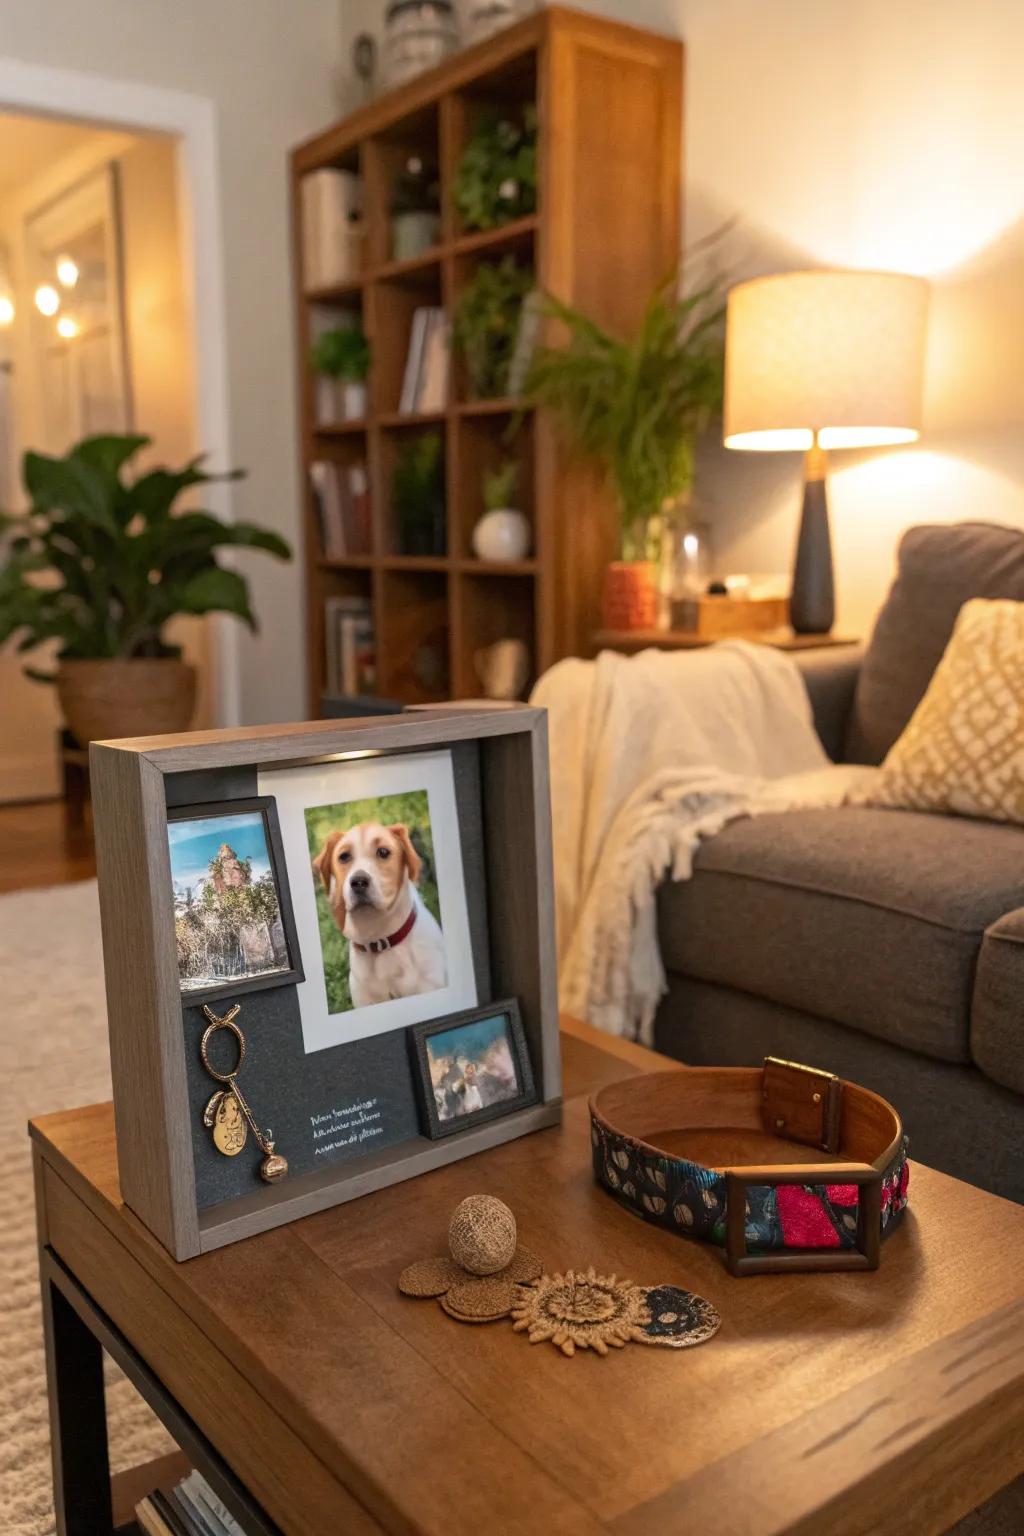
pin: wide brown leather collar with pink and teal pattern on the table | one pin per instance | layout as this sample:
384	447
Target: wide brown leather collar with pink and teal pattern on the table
692	1150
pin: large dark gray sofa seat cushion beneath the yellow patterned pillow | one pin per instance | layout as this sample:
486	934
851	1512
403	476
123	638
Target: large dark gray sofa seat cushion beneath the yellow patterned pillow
868	918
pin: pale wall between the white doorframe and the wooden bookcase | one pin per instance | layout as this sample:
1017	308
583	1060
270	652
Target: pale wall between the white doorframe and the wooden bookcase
268	67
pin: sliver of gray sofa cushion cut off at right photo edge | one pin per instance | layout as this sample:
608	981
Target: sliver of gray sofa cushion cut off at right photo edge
997	1019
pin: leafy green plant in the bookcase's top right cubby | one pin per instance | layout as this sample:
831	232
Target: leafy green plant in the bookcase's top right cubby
497	177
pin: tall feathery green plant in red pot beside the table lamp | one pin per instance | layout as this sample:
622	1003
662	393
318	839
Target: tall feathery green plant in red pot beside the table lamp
638	408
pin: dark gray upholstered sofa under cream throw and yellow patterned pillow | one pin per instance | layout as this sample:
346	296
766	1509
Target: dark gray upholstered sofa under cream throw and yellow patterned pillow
884	945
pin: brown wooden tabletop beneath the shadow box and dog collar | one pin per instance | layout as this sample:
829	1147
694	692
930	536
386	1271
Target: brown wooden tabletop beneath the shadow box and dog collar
888	1402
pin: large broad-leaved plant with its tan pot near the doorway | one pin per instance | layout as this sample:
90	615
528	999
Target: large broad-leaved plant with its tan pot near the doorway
101	564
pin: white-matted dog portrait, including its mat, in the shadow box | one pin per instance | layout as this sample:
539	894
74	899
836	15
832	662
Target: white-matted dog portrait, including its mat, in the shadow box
375	864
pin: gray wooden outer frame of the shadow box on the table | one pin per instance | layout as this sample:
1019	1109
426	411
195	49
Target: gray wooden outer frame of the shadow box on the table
148	1067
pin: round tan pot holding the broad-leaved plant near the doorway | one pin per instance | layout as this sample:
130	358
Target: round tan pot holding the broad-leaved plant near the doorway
108	700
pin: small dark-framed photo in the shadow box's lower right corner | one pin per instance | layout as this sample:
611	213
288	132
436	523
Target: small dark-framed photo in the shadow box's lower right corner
472	1067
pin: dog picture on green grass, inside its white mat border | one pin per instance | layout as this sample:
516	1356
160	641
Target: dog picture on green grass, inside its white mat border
377	899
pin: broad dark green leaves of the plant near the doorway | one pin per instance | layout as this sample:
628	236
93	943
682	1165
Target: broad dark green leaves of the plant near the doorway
101	561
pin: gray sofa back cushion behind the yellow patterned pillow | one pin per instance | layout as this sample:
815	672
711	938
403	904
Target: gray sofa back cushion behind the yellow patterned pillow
940	569
